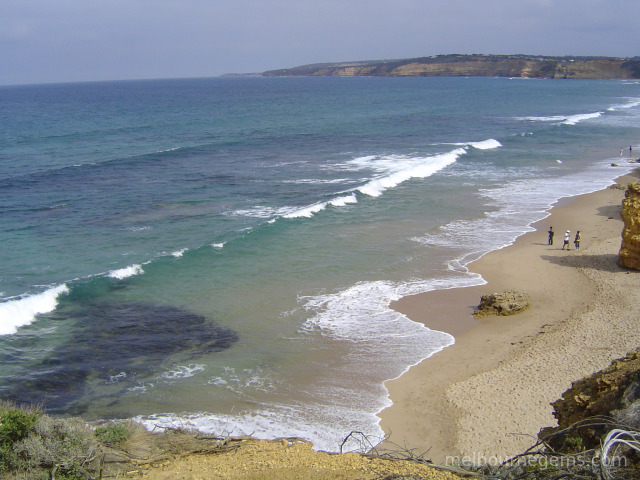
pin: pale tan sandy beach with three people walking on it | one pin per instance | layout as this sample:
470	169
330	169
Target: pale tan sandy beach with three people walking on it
490	393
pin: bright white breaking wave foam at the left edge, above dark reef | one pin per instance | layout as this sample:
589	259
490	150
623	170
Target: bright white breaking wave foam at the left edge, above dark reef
22	311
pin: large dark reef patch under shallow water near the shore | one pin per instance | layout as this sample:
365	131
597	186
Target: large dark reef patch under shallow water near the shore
114	344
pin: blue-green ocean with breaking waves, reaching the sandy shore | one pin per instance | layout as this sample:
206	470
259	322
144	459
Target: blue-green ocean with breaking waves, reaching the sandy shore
221	253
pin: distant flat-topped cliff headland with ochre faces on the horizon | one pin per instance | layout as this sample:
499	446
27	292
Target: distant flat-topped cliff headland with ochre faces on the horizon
476	65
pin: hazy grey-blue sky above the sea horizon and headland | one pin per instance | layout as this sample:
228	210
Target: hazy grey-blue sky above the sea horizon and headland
50	41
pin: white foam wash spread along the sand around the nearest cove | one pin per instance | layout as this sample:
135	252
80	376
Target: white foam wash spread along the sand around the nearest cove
388	343
